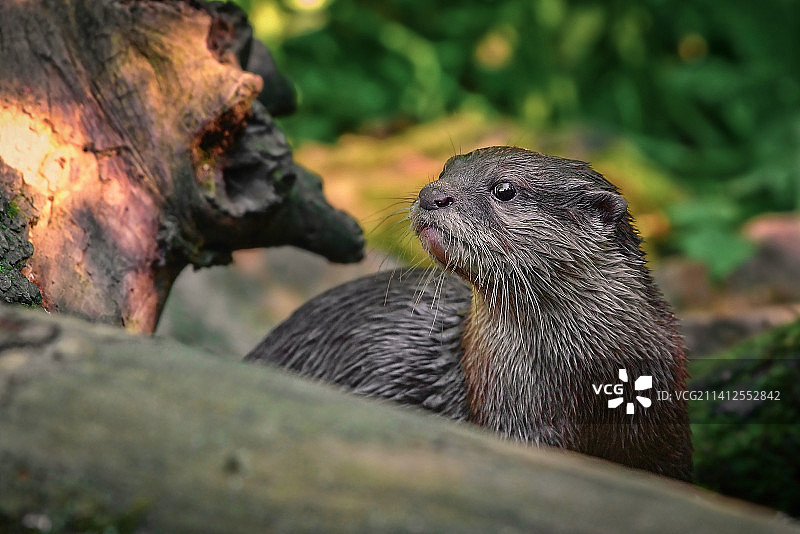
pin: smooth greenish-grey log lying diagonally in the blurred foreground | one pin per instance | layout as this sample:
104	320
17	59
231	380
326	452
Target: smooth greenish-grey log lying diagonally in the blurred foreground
99	428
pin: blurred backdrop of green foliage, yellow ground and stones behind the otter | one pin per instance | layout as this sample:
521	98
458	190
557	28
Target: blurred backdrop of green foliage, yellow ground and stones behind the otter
692	109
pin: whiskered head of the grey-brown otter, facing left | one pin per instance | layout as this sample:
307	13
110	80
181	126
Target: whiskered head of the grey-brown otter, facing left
511	220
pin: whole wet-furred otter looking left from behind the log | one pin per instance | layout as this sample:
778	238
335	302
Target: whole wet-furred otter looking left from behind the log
541	311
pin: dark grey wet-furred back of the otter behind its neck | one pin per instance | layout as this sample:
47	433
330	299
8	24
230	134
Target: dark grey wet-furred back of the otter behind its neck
385	335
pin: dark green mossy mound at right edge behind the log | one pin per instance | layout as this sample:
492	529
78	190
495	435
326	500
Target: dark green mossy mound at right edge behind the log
749	451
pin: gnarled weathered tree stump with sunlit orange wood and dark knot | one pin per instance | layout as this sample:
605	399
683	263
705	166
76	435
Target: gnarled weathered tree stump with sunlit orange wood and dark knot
129	141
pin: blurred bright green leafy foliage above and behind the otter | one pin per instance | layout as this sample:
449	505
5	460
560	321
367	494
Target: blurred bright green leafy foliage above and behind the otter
710	90
